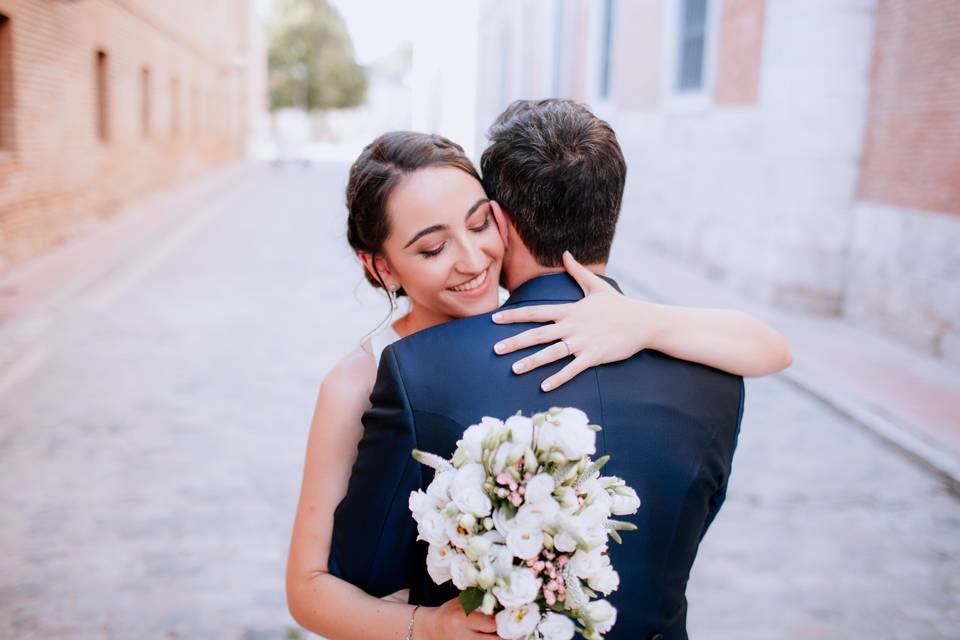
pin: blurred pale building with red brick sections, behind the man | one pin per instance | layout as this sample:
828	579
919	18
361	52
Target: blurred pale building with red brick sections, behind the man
806	152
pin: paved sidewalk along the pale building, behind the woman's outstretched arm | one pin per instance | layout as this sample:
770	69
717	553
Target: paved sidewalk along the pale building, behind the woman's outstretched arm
910	400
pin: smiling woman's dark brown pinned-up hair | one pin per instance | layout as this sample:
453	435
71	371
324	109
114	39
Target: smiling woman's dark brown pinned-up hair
378	170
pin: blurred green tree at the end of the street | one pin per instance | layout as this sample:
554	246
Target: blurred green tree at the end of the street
310	59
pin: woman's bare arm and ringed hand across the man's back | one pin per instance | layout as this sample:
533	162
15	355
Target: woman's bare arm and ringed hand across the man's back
607	327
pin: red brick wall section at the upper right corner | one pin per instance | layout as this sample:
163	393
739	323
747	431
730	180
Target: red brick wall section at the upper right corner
912	149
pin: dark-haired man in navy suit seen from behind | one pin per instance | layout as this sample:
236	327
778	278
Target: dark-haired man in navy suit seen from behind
670	426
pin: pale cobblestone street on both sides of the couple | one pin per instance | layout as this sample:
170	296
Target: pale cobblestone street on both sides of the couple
152	439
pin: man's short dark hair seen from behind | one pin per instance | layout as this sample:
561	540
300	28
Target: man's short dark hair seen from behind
558	172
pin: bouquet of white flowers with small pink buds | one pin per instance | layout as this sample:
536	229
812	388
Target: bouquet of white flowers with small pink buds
519	520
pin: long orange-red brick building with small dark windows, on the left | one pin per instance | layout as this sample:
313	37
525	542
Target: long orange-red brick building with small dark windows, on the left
102	101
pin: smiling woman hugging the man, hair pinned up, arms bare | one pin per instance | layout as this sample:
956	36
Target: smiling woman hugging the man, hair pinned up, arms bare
421	224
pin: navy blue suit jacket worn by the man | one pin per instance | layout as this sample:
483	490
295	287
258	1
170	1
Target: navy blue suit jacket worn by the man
670	426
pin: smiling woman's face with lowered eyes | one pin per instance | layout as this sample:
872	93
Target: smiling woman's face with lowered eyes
444	247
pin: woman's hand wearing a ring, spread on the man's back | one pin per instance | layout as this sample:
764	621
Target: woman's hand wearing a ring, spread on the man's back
604	326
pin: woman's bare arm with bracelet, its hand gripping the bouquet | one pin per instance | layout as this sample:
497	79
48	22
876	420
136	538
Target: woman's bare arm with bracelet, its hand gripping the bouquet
321	602
